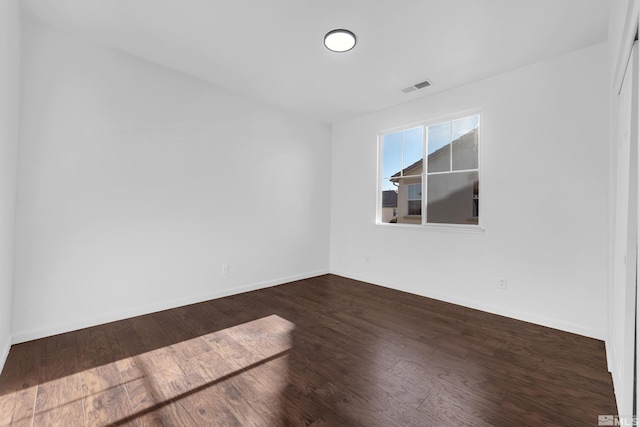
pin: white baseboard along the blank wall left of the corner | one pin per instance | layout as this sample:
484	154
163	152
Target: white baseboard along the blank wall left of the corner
60	328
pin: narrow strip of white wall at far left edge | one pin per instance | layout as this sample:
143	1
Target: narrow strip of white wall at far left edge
9	107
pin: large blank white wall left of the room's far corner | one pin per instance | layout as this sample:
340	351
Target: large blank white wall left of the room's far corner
137	183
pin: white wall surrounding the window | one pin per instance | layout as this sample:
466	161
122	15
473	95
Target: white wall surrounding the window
543	192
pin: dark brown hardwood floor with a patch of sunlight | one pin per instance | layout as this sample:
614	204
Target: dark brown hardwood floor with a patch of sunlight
326	351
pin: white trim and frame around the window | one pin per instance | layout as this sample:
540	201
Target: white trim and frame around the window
424	225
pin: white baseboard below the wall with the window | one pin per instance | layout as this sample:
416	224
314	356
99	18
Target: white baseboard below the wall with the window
500	311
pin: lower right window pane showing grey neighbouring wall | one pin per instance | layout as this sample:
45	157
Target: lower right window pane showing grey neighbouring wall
453	198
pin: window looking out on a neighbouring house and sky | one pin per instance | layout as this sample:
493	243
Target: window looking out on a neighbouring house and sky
450	173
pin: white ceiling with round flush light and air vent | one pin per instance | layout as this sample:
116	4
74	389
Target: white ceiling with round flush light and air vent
273	49
